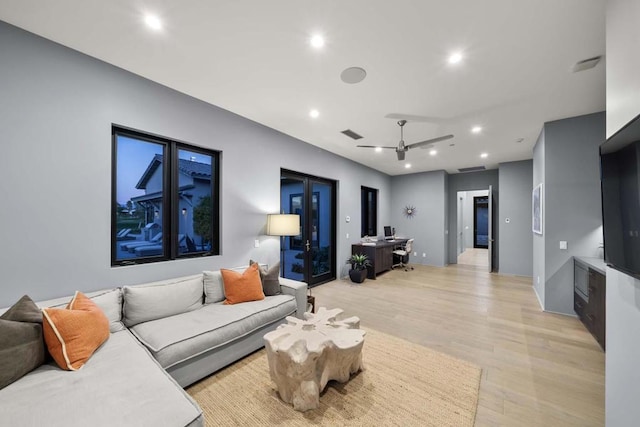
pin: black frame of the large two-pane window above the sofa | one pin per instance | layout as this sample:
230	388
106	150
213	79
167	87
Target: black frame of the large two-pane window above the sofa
170	197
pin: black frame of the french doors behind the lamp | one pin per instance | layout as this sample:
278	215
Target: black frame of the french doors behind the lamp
307	222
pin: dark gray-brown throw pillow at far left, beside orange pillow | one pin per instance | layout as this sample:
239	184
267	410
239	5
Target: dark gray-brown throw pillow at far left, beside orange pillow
21	341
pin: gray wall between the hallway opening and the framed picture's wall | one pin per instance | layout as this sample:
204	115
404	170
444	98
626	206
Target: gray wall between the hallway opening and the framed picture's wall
516	237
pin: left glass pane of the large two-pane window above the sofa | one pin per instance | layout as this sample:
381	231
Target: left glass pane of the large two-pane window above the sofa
139	190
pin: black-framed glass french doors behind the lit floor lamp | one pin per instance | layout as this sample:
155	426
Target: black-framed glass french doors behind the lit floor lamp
311	255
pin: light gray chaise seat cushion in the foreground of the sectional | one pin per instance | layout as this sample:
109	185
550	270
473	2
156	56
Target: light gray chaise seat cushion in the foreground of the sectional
121	385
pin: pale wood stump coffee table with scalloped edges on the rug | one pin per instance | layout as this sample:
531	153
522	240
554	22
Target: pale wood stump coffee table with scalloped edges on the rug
305	354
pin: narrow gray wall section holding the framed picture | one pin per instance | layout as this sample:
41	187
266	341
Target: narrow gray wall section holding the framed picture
539	277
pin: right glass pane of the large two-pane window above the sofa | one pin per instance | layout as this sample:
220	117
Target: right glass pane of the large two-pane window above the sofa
195	204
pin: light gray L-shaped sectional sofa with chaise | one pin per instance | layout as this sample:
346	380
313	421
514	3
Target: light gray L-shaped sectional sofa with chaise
164	336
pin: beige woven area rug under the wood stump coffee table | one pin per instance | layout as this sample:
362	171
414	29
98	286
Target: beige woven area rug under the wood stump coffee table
403	384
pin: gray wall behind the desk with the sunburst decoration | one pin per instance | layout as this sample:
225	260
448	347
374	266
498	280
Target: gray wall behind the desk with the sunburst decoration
425	191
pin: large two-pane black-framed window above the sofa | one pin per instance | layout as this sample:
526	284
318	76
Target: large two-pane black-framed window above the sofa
165	198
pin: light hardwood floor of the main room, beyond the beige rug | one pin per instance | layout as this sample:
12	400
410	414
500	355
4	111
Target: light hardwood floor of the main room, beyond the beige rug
539	369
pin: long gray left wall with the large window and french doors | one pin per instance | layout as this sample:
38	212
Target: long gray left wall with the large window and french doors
56	111
